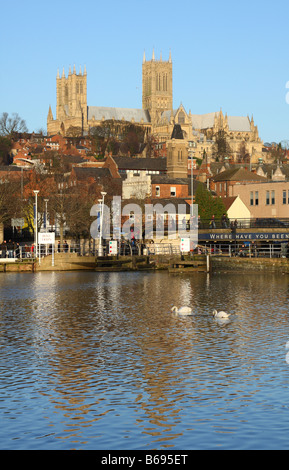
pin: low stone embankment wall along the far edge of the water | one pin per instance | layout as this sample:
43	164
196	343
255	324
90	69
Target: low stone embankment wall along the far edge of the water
172	263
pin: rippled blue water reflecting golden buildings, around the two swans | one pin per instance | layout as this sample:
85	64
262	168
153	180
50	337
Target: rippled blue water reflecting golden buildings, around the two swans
98	361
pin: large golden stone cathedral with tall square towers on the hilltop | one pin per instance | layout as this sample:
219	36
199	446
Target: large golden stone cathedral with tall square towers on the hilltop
75	117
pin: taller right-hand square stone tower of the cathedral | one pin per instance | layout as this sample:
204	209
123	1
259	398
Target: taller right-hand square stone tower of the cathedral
157	87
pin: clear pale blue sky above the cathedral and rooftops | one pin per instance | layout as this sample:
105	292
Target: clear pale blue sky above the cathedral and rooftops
225	54
